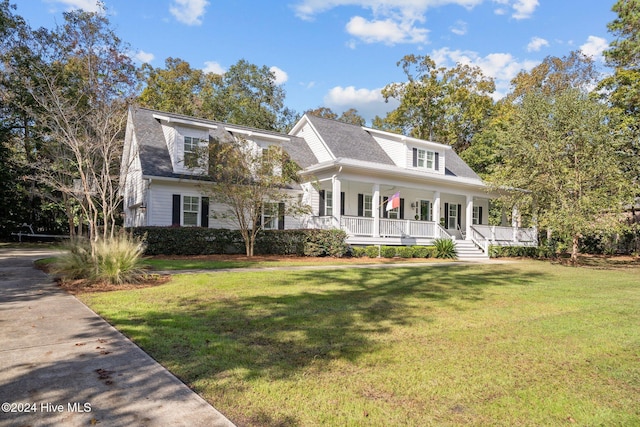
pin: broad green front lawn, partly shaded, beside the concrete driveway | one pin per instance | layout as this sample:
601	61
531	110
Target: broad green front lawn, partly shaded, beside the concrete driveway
525	343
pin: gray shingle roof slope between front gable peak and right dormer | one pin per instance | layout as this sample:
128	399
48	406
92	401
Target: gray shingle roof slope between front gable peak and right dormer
349	141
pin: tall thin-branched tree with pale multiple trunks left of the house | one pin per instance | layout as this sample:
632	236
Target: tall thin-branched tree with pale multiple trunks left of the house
79	82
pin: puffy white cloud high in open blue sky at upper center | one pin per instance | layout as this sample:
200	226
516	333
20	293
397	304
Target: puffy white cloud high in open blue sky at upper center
385	31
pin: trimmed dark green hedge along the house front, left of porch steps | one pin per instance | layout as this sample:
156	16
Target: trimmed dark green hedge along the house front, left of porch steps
206	241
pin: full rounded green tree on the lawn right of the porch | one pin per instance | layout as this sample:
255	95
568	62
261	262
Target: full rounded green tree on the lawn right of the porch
562	149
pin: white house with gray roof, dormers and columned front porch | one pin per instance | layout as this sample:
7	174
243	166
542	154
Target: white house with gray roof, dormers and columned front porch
350	173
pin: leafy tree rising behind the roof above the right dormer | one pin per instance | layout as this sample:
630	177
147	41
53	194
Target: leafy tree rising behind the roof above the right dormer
445	105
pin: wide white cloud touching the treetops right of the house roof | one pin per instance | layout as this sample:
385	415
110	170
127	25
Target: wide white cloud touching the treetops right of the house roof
503	67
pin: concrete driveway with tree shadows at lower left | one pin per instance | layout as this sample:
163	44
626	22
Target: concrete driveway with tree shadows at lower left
62	365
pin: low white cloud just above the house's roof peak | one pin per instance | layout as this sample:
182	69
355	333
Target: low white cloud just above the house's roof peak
368	102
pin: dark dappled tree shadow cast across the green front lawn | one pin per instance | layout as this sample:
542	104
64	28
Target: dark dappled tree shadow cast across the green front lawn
284	331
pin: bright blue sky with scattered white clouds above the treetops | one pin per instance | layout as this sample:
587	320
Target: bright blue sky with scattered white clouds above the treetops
340	53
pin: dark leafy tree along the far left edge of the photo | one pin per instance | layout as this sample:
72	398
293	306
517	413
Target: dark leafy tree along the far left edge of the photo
24	200
